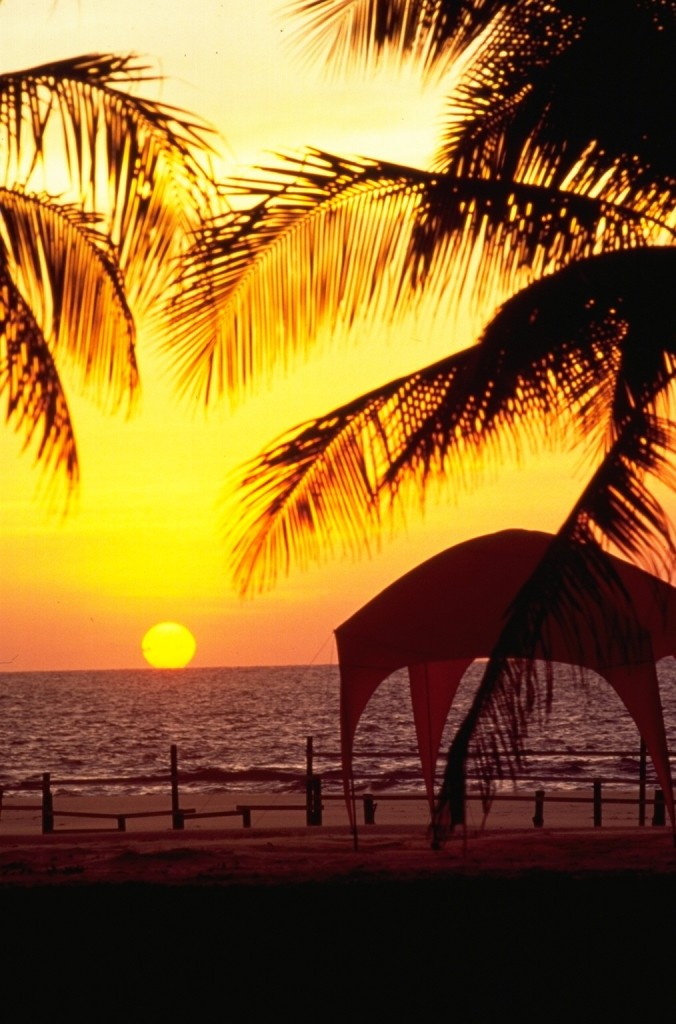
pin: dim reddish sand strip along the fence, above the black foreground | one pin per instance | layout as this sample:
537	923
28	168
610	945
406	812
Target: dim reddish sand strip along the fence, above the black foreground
279	847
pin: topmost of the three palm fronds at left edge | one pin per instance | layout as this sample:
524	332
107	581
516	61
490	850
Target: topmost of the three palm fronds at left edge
140	163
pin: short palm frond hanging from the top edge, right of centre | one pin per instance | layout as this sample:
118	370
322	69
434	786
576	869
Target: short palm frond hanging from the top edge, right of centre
359	34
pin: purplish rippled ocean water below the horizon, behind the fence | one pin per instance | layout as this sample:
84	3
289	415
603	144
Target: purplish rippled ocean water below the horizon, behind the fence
245	730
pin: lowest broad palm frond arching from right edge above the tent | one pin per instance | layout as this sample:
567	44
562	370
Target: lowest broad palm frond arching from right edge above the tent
580	349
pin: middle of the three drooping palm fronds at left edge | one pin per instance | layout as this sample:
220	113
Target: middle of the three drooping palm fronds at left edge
68	277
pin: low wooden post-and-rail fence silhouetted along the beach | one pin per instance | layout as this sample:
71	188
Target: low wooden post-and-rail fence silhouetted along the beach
313	806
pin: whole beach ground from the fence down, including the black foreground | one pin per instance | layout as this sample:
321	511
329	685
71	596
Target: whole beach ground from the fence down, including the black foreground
285	919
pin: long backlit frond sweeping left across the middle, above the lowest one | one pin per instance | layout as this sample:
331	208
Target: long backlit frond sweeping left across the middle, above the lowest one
330	242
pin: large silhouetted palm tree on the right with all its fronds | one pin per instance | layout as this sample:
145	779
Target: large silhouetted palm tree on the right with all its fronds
551	207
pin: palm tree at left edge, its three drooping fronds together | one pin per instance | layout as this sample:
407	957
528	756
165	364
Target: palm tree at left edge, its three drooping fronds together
100	191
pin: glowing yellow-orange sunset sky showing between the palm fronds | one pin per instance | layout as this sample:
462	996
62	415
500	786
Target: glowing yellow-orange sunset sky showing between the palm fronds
146	539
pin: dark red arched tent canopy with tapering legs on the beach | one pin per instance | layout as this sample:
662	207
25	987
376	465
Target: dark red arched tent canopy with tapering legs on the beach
448	612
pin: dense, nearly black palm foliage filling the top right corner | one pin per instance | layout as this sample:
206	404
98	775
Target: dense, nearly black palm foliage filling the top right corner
537	103
